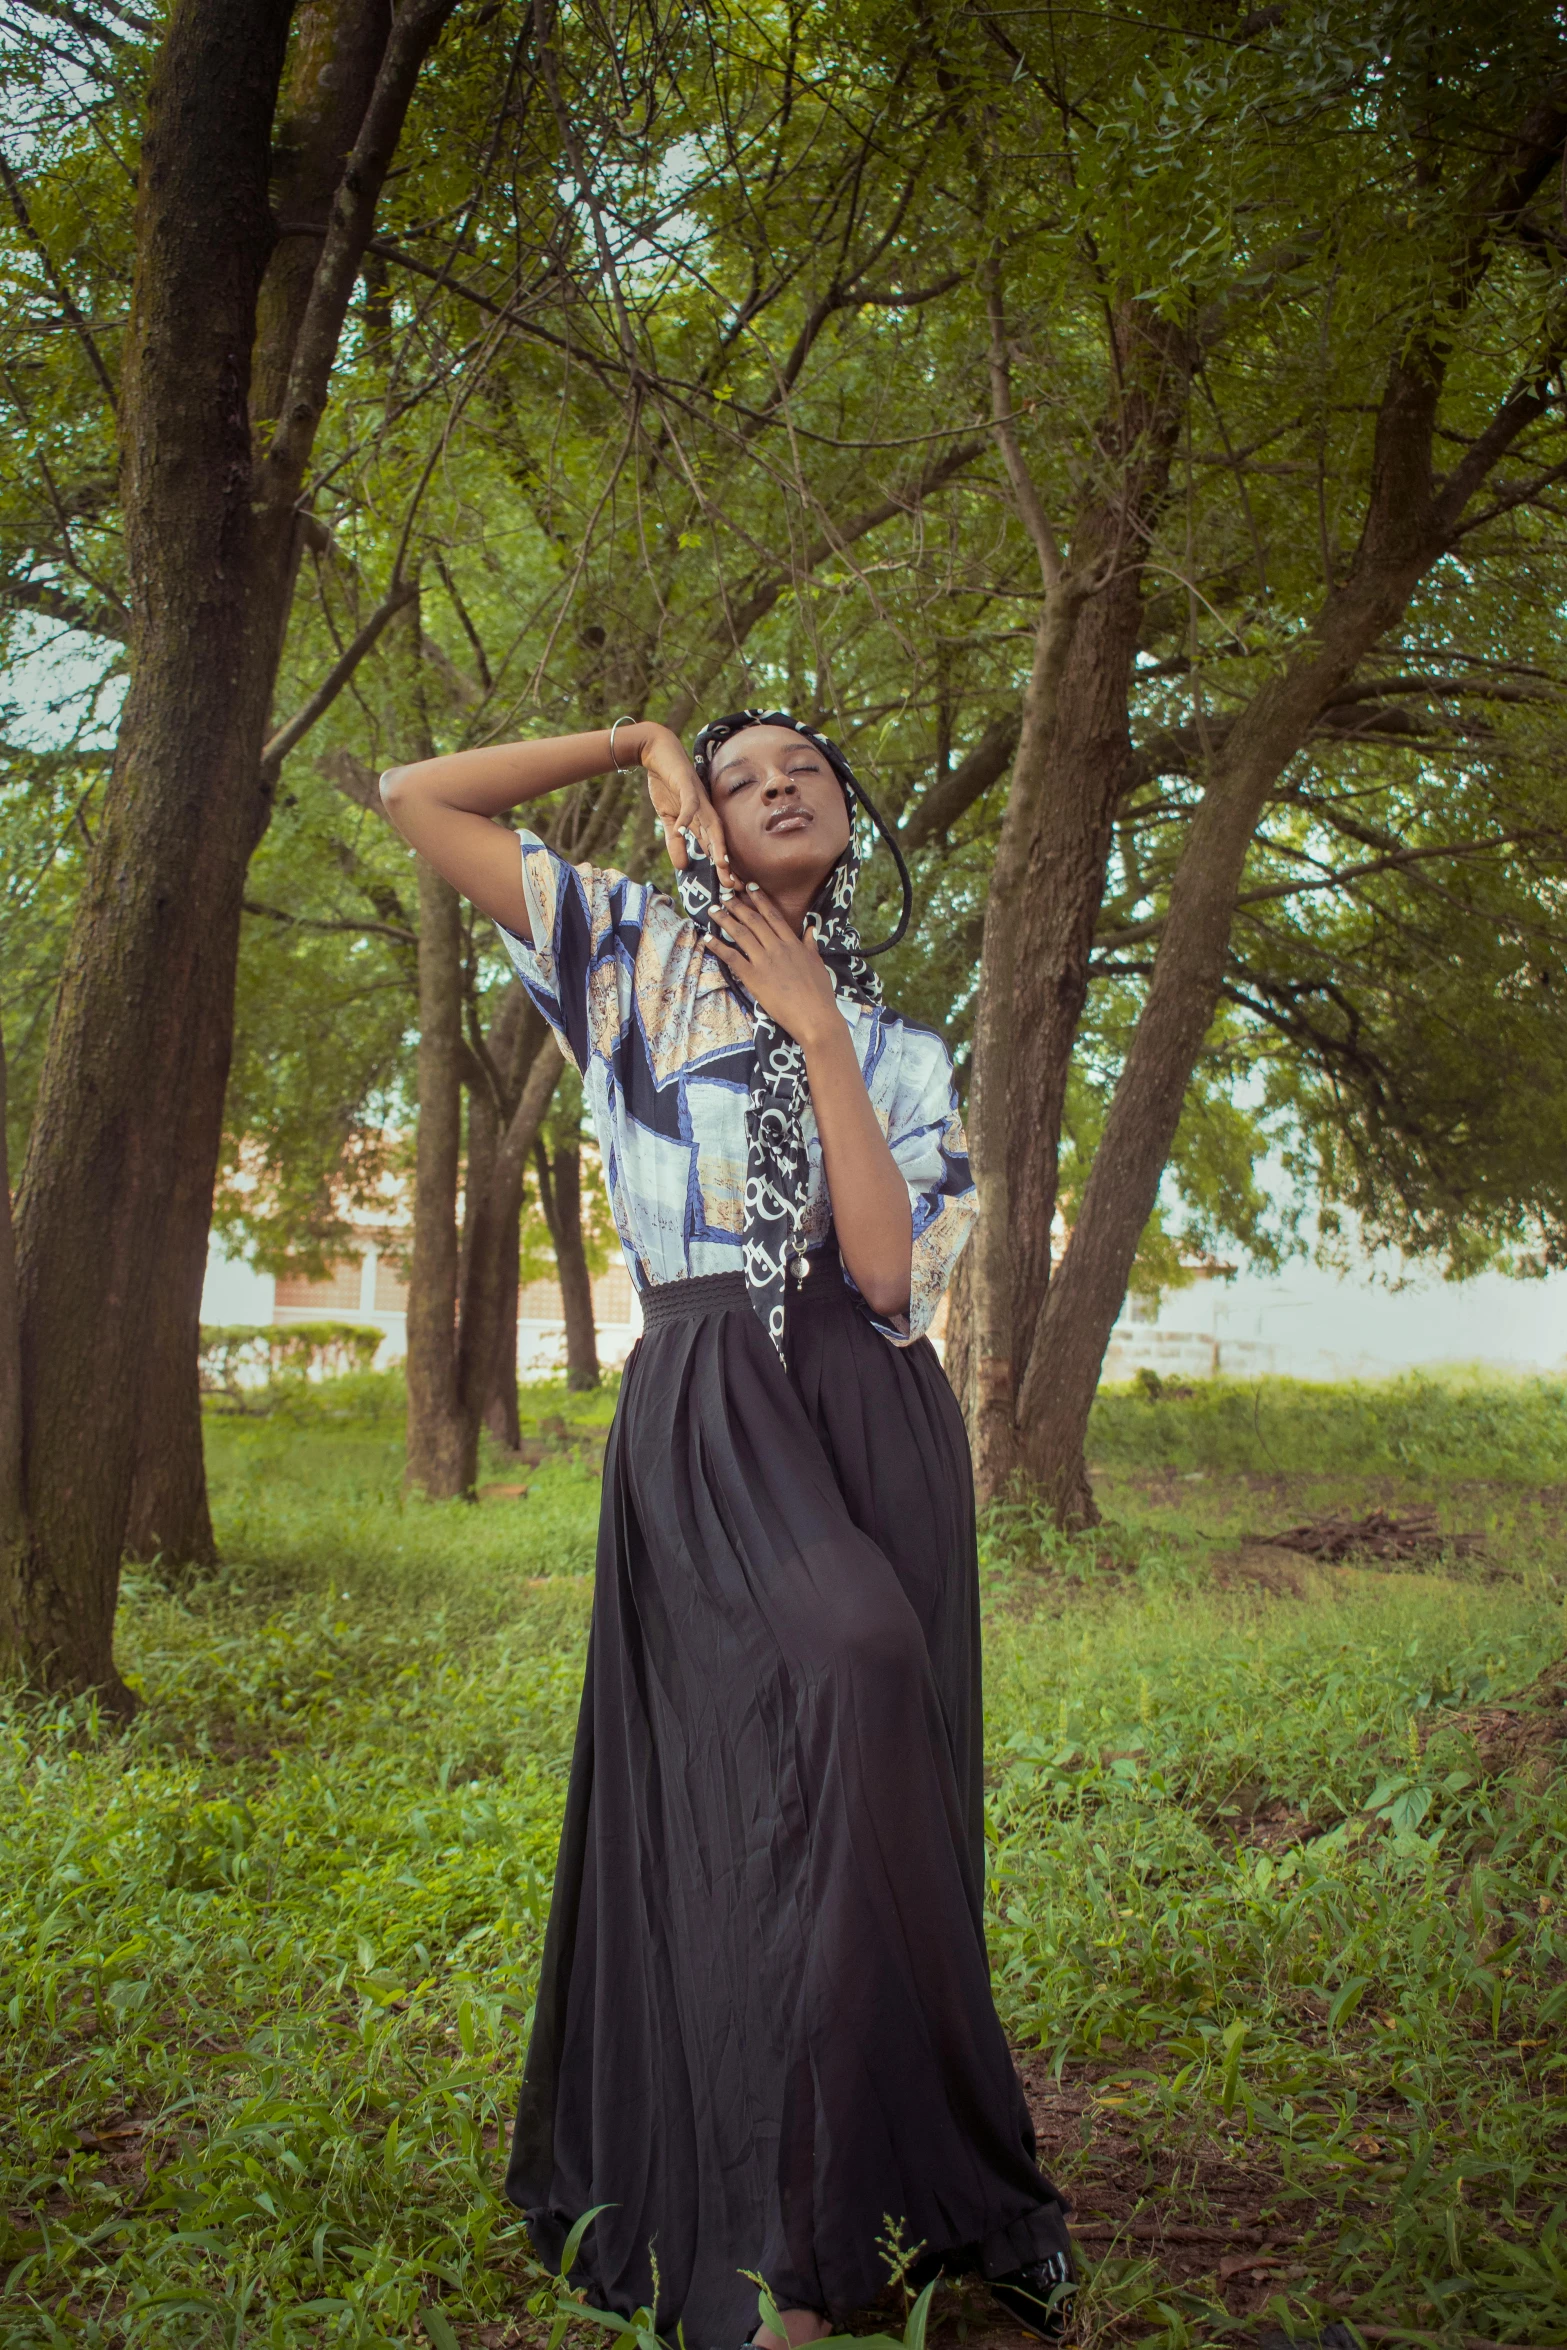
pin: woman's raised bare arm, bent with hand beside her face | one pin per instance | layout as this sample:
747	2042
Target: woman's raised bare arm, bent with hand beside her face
448	807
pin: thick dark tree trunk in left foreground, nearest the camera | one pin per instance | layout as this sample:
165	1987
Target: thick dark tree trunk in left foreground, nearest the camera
133	1089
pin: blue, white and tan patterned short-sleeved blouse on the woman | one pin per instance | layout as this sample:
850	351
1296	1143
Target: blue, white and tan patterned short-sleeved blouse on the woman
664	1045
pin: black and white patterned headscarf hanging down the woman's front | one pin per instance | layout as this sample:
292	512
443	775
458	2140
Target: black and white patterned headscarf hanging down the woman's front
776	1164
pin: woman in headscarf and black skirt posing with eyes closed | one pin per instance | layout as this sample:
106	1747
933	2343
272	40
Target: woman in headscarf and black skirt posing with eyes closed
765	2027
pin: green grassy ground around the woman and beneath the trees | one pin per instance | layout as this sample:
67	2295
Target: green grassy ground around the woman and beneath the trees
1277	1886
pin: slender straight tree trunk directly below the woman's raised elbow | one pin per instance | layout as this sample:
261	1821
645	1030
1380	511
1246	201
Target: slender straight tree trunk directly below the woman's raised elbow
443	1442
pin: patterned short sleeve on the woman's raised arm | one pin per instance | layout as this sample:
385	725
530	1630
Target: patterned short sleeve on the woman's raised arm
593	925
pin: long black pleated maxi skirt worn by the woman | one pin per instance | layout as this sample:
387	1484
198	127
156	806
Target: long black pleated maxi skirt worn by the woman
765	2020
